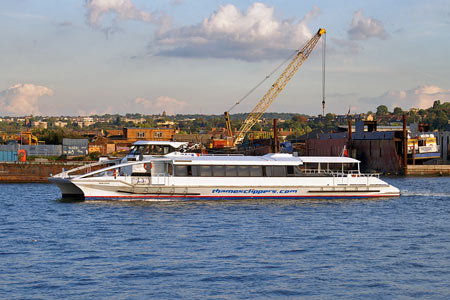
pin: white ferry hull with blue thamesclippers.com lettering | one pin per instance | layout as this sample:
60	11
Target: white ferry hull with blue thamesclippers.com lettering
139	189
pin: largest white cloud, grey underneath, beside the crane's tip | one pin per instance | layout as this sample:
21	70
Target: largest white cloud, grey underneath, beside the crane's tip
230	33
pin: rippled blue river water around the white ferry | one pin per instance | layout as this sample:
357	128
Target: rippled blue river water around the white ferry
247	249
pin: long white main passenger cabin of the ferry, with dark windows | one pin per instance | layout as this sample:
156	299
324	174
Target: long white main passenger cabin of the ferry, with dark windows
270	165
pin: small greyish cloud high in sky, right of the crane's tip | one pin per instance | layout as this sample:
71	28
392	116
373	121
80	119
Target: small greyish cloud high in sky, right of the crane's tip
363	28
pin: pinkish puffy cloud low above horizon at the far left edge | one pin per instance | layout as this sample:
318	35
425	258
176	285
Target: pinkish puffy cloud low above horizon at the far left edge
22	99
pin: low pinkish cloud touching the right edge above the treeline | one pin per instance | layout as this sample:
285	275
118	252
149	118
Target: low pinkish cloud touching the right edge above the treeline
419	97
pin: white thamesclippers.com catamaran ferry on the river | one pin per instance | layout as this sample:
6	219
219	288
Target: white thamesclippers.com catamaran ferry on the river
190	176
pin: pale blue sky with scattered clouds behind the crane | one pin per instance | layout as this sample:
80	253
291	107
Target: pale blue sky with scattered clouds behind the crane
85	57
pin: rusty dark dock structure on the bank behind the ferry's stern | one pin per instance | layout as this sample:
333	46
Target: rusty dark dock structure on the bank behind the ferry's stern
382	151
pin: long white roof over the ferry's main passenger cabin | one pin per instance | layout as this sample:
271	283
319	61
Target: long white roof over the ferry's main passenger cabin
268	159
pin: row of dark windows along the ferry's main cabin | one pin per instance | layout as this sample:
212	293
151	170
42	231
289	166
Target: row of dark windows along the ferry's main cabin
237	171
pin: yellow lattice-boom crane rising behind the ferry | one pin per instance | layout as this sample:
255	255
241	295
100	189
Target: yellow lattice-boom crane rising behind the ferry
276	88
